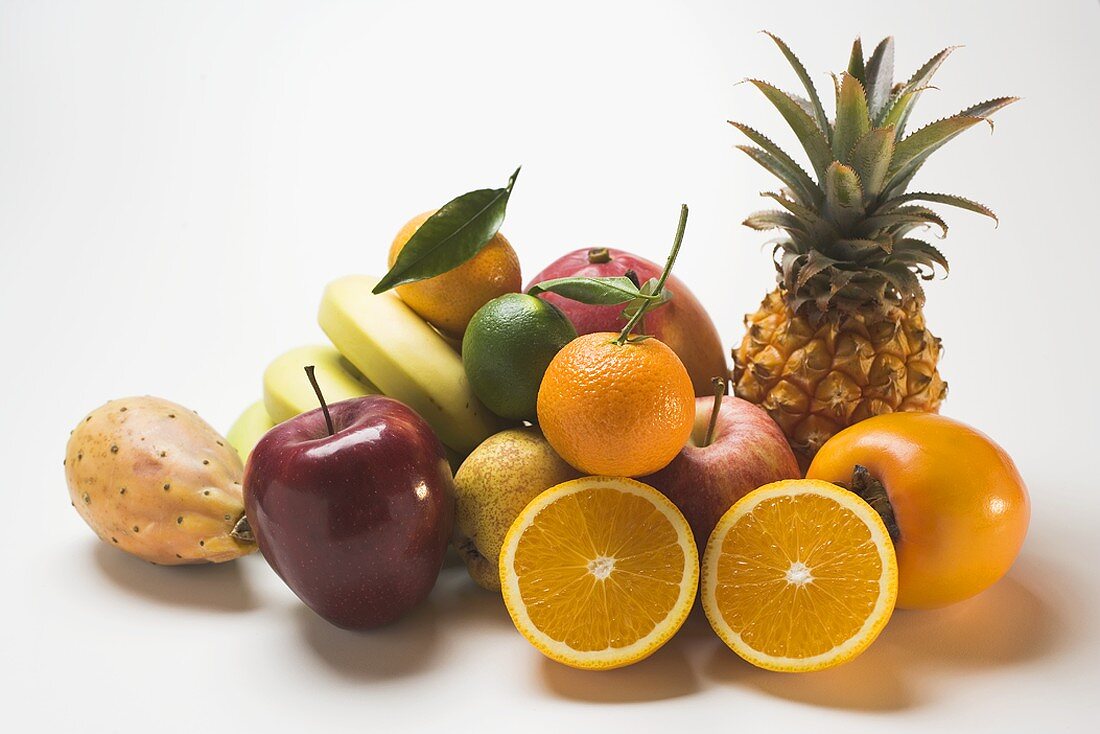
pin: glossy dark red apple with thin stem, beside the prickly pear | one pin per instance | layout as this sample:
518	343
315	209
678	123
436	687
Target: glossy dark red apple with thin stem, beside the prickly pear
357	522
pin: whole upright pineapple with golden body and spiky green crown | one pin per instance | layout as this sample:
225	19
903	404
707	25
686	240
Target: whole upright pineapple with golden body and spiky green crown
843	337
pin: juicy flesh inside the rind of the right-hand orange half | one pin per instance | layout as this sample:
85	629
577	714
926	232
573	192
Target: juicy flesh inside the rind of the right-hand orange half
798	577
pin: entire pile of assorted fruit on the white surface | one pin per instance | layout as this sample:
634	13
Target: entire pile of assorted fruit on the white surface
602	476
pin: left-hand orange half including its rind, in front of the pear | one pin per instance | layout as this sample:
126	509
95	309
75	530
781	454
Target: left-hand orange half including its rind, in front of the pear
599	573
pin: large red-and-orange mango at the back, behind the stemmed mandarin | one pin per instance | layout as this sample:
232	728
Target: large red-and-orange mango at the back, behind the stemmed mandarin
683	324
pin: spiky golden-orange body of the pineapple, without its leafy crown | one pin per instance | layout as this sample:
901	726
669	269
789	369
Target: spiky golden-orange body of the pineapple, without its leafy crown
816	380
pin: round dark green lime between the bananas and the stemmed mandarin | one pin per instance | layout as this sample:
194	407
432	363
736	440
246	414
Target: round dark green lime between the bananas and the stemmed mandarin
508	347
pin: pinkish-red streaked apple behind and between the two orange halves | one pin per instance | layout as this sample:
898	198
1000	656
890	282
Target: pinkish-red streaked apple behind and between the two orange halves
747	451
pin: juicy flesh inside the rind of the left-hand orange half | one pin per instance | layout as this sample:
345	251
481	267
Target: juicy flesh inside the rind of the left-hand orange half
600	569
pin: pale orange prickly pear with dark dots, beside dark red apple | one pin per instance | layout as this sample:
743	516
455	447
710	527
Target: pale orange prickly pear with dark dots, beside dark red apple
153	479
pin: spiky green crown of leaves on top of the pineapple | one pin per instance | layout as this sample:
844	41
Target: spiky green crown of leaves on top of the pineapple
848	244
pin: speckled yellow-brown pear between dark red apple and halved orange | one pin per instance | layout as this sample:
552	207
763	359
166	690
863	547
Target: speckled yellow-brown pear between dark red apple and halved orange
492	487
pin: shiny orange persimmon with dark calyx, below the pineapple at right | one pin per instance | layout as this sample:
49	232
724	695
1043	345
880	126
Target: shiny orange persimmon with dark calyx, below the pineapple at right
952	499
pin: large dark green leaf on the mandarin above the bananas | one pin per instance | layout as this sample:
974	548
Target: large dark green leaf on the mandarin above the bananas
450	237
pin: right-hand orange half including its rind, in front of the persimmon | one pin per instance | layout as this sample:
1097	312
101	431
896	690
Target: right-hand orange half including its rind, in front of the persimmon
799	576
